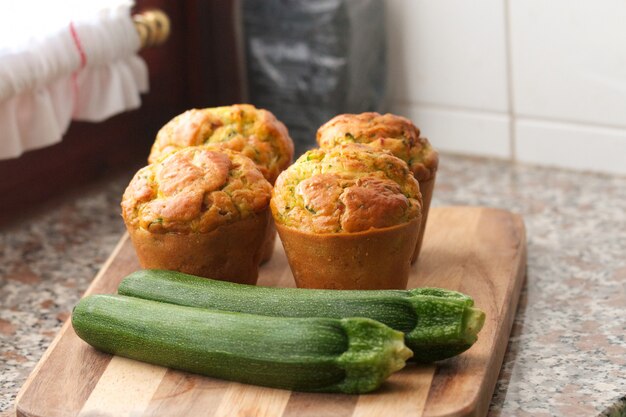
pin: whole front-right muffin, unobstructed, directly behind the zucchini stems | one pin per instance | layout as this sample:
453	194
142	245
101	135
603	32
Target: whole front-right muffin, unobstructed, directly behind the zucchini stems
348	218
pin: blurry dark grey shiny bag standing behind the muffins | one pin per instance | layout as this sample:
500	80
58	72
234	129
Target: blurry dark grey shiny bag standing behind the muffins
309	60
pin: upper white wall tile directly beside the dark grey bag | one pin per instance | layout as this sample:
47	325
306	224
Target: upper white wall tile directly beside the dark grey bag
448	52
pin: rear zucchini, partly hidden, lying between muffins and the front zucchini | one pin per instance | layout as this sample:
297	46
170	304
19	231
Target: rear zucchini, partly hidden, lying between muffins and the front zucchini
437	323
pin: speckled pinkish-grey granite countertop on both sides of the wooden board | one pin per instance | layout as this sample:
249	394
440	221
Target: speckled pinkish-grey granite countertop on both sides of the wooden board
567	351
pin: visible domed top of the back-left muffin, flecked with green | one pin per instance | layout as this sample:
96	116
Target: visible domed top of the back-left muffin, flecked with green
256	133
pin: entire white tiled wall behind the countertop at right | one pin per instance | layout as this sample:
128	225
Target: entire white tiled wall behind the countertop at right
534	81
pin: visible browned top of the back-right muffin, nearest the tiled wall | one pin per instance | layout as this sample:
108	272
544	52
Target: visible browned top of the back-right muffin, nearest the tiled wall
394	133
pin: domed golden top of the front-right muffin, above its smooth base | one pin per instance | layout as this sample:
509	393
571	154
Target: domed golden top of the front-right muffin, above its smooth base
350	188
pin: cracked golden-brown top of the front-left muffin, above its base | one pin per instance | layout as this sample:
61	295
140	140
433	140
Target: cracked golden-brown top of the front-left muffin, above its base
195	190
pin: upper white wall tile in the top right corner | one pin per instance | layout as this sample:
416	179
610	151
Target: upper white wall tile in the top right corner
569	60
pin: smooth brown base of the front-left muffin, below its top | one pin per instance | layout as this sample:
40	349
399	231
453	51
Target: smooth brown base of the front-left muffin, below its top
229	253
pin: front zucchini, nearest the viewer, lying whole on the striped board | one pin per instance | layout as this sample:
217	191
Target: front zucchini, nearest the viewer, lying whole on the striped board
351	356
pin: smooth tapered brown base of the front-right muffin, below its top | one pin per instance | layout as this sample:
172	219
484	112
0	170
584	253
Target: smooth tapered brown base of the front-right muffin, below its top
374	259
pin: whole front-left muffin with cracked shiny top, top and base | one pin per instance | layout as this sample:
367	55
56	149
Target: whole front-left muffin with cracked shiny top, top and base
200	211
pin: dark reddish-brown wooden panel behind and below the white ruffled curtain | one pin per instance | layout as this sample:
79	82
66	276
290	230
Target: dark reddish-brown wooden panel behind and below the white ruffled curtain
196	67
